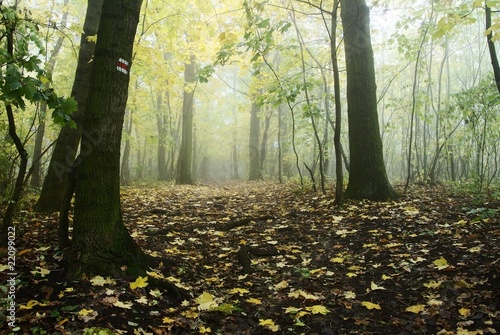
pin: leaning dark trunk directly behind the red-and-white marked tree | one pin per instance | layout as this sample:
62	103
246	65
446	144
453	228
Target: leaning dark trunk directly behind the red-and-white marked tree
55	182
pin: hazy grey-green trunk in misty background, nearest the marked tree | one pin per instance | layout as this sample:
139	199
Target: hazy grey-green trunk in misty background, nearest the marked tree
184	171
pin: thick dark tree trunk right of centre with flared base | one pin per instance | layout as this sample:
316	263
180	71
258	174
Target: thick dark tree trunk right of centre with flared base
367	175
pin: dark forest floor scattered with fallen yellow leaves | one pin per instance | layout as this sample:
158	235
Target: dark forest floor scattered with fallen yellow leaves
264	258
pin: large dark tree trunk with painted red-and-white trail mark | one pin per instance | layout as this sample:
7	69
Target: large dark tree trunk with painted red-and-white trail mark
101	243
